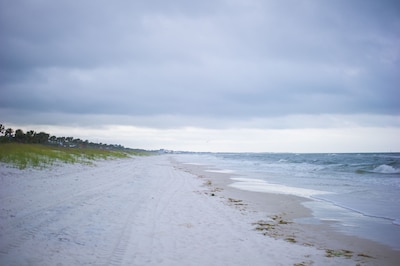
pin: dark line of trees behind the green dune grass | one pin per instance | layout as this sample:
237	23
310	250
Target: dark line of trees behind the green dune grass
9	135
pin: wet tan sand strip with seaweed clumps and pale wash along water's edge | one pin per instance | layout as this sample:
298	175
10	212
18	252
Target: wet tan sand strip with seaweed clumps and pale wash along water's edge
282	213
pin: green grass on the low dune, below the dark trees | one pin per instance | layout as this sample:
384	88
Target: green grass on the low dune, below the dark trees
40	156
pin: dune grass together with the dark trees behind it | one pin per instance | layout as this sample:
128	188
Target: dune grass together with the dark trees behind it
32	149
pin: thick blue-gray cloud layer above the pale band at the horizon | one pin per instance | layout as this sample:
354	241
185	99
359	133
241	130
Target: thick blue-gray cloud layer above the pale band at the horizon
228	59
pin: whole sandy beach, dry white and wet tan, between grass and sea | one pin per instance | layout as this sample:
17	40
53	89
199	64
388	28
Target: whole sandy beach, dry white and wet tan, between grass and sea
156	210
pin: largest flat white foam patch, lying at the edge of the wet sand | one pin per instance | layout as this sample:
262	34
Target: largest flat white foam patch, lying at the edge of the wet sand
258	185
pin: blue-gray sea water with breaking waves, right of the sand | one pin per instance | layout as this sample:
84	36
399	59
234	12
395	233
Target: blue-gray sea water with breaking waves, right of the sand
358	194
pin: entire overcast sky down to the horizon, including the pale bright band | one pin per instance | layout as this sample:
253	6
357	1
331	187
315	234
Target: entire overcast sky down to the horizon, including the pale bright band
211	75
